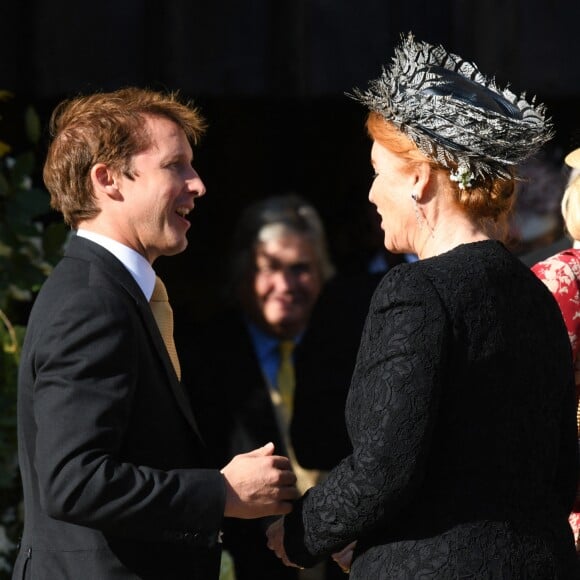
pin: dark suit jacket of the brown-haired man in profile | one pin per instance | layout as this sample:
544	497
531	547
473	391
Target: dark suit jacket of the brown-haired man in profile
111	459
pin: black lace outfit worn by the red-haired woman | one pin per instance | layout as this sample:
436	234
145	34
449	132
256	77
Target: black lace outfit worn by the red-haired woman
461	413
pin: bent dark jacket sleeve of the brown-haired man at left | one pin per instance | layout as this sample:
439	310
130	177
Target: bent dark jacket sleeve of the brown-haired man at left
87	372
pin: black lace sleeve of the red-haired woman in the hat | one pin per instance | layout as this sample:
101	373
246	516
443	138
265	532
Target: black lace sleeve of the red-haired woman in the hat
391	409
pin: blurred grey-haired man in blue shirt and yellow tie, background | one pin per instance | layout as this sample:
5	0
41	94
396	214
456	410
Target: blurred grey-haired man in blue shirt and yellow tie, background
269	368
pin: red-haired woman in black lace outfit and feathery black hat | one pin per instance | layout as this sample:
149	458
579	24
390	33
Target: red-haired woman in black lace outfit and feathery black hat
461	409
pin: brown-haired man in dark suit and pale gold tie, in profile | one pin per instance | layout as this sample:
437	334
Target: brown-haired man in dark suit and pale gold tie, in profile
116	482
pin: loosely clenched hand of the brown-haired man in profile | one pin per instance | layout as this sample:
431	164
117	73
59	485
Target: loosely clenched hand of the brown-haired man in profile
259	484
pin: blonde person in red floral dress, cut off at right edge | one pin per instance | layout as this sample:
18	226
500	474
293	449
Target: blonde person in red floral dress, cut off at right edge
561	274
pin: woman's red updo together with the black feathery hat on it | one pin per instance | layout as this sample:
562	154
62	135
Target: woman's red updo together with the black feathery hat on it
458	119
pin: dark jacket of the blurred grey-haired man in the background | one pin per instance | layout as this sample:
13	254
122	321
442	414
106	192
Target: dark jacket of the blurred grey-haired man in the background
236	412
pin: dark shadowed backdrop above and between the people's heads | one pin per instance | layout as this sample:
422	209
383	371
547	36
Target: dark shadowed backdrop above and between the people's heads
270	77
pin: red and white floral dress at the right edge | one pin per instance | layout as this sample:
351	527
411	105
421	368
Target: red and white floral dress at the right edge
561	274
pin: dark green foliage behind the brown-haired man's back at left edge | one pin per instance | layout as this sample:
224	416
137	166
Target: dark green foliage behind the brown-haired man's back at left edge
30	243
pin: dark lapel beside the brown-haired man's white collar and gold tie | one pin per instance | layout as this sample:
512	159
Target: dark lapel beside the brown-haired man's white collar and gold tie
120	277
